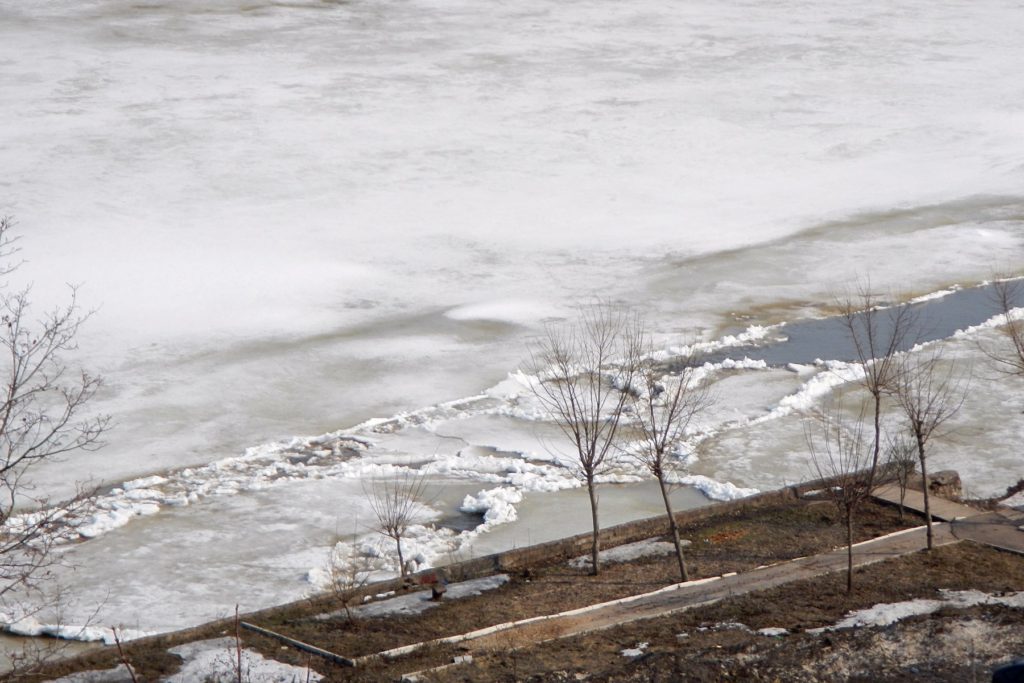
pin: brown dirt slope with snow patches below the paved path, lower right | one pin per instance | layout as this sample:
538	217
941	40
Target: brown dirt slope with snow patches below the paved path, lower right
719	644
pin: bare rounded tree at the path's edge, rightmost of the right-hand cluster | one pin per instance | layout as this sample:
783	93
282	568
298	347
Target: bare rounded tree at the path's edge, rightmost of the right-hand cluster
930	393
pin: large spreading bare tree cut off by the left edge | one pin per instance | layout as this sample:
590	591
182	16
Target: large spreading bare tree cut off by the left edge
44	418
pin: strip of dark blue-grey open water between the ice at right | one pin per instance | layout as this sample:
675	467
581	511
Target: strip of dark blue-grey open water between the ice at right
829	338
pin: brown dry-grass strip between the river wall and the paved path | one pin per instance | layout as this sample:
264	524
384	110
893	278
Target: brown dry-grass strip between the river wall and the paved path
731	542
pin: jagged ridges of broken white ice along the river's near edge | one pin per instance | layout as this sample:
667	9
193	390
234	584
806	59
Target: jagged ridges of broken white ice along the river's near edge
506	467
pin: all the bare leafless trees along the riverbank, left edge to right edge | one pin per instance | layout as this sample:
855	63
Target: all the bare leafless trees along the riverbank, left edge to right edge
599	378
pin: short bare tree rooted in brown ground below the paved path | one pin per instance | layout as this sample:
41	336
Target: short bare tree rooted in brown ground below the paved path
840	454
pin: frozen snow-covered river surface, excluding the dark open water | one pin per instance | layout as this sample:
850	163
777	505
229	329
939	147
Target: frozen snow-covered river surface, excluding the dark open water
348	220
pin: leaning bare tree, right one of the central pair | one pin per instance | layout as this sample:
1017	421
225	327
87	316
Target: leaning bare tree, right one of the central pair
664	406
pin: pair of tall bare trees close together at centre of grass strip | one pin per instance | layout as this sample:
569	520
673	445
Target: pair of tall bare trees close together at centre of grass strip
601	382
